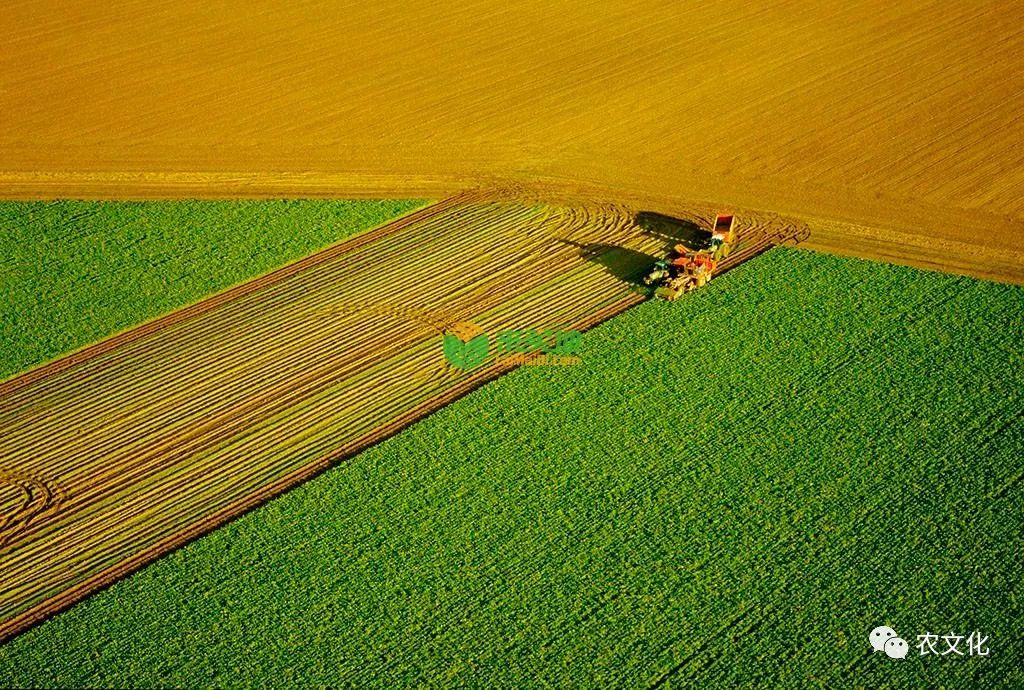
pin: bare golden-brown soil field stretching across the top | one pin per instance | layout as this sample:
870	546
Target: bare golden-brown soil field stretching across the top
891	130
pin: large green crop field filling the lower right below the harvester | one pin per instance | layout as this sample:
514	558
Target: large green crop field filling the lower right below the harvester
733	489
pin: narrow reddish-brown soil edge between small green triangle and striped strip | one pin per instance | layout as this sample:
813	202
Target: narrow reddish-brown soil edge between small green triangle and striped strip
206	305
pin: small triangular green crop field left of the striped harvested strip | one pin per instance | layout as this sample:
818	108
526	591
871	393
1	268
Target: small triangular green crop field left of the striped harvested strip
76	272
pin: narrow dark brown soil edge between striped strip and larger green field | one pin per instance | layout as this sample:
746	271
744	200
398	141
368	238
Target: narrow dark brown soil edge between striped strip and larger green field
101	581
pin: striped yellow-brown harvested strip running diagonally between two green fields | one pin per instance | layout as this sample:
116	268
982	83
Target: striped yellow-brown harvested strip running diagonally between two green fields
126	450
